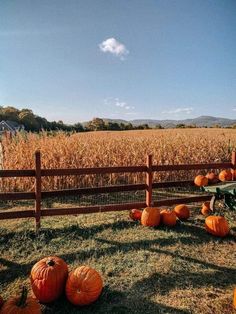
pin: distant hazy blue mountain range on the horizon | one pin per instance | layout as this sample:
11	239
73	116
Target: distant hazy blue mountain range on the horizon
201	121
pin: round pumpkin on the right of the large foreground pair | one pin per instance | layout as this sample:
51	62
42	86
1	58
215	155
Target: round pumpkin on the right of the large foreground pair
84	286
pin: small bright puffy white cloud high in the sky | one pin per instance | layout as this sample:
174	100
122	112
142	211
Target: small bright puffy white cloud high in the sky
114	47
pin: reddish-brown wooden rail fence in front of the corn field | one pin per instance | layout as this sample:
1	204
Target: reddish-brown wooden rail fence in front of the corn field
37	212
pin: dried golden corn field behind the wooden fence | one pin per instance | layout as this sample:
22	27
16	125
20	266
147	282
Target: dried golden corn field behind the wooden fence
103	149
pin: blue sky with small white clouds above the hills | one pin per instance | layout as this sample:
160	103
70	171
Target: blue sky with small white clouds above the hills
73	60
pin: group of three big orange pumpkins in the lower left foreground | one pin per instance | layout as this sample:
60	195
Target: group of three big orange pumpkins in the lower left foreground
49	279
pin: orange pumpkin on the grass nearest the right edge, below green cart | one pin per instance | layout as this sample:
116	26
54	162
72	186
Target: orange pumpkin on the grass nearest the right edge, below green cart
217	225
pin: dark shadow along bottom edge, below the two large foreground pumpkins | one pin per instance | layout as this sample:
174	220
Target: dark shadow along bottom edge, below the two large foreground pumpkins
112	301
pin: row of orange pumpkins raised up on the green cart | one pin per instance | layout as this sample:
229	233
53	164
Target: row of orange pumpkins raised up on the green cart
213	178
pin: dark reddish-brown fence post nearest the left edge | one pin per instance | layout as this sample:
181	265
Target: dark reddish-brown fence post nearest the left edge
38	183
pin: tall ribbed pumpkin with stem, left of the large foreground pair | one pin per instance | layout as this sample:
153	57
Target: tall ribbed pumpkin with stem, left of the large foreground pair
48	278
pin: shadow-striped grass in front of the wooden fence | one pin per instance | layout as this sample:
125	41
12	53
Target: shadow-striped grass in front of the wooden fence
145	270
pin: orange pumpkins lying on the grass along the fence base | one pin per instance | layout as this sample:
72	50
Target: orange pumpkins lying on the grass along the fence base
153	217
